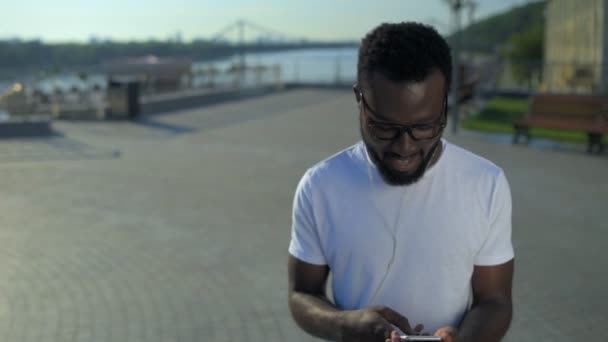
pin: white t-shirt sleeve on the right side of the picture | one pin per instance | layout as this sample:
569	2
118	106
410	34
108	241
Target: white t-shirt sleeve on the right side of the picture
497	247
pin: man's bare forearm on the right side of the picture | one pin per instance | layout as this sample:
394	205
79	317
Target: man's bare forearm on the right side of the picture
486	322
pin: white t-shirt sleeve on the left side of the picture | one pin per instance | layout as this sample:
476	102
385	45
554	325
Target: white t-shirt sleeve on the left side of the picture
305	243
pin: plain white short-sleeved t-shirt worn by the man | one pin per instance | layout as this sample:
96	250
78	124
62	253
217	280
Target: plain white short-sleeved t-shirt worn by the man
411	248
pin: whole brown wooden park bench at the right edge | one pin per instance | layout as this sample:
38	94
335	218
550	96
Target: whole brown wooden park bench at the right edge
583	113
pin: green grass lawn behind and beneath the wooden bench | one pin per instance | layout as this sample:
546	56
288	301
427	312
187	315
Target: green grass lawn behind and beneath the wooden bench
500	112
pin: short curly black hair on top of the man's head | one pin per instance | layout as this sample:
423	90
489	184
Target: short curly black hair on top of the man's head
404	52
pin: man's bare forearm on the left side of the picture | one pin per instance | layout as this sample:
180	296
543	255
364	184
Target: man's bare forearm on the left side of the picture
316	315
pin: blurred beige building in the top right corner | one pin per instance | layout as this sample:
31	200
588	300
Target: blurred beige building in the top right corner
576	46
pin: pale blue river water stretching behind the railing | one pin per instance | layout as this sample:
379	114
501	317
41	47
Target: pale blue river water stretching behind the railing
322	66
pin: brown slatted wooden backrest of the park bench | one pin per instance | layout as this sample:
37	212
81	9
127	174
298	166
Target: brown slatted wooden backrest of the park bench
581	108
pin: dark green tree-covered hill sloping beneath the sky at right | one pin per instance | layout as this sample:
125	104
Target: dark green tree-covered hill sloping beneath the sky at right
493	32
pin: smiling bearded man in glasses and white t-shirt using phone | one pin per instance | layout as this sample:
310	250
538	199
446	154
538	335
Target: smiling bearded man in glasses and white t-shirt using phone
415	231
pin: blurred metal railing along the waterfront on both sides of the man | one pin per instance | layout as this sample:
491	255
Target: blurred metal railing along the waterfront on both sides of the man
489	74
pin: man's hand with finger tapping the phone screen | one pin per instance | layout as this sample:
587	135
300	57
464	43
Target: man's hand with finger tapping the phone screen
373	324
